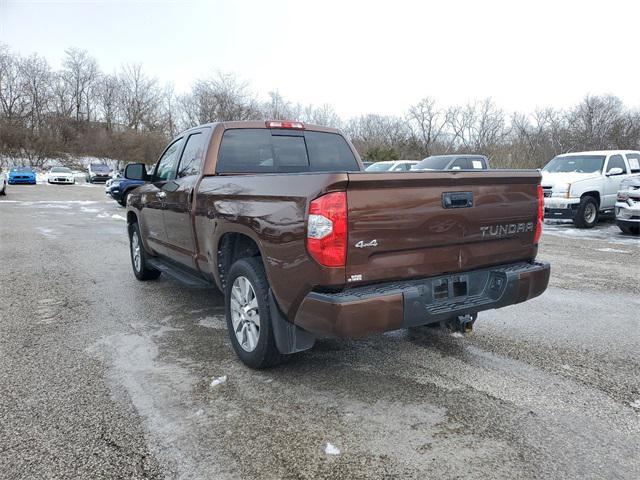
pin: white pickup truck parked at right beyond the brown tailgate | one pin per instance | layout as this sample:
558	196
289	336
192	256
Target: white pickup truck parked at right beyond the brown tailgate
582	185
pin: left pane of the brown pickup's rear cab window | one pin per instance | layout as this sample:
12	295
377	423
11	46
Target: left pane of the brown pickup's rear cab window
245	151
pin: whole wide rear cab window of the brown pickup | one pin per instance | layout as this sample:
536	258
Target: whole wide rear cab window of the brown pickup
260	151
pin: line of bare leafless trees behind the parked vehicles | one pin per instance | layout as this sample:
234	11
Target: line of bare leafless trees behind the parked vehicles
127	115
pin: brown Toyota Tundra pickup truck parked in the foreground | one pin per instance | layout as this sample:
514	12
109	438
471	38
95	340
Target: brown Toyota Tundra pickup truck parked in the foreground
304	244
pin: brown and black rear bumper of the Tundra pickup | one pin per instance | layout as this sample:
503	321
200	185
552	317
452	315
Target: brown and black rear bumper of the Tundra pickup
377	308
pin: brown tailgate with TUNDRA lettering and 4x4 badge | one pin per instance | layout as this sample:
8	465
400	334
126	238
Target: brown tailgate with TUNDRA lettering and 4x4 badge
417	224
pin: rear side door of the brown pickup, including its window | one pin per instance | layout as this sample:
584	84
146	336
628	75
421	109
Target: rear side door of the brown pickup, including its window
178	224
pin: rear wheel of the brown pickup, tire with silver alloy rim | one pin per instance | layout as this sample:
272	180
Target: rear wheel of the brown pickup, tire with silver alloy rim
248	316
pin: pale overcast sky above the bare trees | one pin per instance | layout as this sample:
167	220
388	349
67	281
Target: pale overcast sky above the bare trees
359	56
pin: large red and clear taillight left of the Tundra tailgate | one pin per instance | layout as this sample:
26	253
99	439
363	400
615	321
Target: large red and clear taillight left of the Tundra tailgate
327	229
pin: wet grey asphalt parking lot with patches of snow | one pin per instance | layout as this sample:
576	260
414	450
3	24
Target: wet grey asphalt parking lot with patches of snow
103	376
